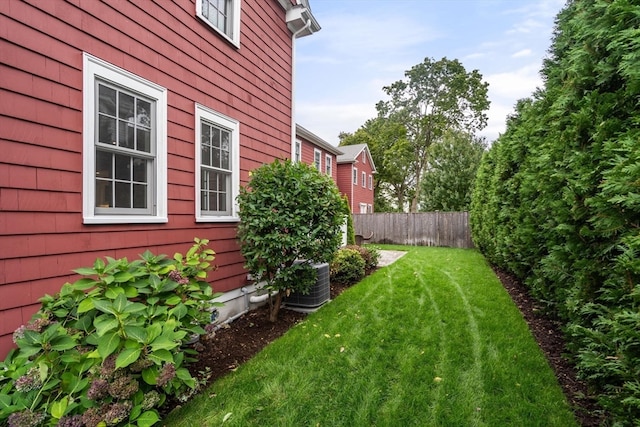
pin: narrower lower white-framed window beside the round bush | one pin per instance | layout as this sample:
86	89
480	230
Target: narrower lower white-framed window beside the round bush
217	166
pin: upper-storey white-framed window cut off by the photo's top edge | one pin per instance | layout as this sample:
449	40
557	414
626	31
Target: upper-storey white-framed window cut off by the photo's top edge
223	16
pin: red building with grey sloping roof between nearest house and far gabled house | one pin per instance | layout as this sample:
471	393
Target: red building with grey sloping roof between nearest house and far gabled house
313	150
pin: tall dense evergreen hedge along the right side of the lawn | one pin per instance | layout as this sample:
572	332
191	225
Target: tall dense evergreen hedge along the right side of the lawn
557	198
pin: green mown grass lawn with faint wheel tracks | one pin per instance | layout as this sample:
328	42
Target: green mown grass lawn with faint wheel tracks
432	340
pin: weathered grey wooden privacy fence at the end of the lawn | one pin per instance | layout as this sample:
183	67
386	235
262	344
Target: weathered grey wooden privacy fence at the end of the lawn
449	229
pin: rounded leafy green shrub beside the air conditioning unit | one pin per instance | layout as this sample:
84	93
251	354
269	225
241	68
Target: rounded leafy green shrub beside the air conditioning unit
290	217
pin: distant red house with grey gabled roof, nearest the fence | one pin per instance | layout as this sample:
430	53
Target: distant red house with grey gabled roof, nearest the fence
355	177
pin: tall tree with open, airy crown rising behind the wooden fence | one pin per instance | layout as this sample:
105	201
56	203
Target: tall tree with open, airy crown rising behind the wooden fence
435	97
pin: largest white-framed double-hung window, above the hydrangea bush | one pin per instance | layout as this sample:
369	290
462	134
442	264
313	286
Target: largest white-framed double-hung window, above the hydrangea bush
124	146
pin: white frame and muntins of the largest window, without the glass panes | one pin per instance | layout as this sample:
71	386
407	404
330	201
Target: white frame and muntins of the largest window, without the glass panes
95	72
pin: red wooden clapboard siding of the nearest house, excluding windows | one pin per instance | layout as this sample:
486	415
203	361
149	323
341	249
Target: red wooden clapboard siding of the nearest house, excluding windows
42	236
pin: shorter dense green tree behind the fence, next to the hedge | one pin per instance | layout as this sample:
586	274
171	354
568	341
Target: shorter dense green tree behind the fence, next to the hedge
448	181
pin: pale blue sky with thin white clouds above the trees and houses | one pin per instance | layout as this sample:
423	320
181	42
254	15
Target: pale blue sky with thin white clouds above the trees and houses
367	44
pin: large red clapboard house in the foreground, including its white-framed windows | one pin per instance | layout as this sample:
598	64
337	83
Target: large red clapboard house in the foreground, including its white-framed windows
130	125
